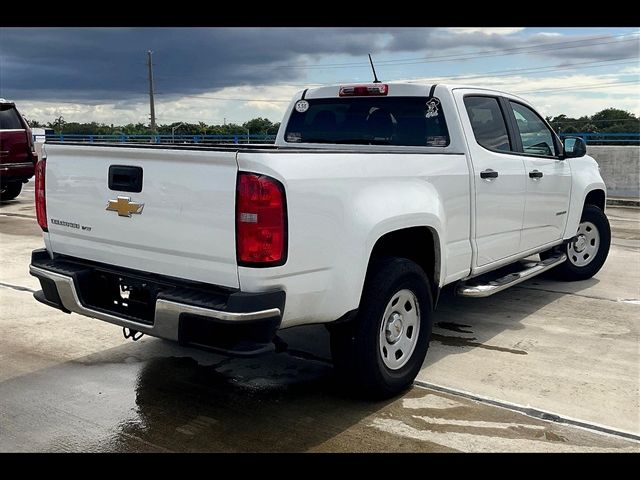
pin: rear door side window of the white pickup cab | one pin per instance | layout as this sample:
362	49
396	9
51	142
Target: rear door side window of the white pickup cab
487	122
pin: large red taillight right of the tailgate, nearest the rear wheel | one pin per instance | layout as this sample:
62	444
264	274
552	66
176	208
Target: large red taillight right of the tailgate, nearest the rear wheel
261	231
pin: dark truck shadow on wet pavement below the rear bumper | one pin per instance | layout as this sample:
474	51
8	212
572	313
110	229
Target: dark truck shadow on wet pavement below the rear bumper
274	404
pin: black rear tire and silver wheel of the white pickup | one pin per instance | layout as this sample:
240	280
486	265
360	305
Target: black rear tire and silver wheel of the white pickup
380	352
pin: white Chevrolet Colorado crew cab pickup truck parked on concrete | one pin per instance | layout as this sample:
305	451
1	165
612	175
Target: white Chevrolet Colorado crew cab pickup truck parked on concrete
373	198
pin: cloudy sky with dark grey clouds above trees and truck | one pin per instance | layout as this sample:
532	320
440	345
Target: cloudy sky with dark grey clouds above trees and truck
212	74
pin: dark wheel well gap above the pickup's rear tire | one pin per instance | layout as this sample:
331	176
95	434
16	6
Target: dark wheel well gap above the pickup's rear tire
418	244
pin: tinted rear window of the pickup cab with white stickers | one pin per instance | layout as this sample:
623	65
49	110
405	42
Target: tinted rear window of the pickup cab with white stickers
409	121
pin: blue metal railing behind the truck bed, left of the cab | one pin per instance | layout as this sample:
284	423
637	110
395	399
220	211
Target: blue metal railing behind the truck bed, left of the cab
177	139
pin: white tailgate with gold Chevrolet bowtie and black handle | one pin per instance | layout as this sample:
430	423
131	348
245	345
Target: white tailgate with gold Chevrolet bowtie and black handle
186	228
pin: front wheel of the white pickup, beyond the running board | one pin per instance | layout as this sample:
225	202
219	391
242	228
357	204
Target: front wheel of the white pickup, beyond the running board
587	254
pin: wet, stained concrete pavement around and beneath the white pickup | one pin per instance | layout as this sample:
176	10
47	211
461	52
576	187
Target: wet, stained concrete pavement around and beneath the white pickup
69	383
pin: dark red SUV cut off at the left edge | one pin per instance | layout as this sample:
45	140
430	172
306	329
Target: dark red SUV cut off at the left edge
17	152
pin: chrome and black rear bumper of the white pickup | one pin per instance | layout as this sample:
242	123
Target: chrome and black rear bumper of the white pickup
192	314
